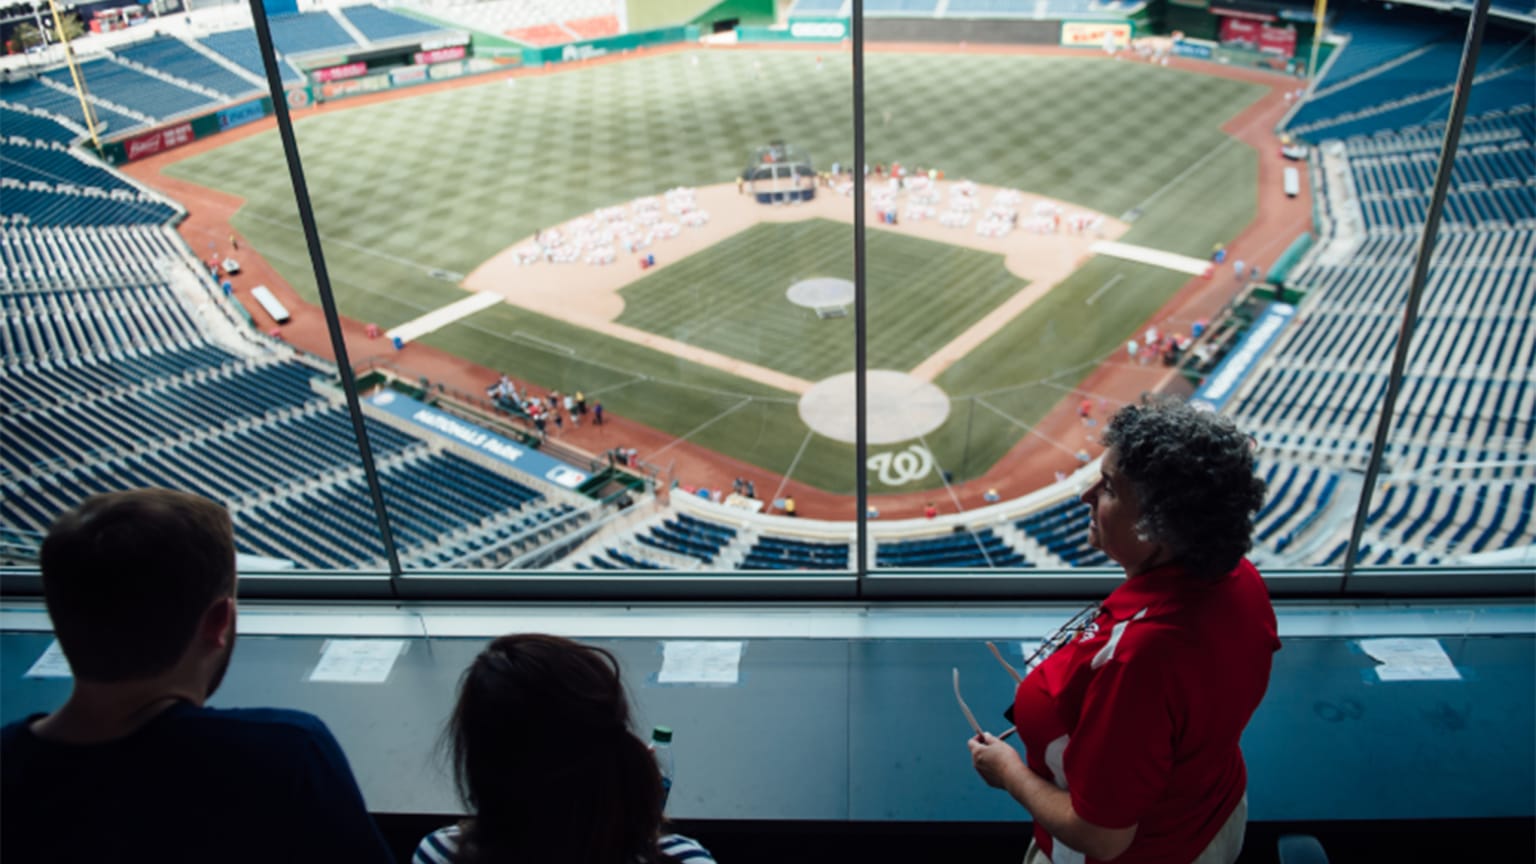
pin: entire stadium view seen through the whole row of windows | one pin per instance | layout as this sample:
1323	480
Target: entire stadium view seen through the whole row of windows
614	211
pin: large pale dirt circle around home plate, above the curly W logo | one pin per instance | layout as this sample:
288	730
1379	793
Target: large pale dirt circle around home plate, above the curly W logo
901	407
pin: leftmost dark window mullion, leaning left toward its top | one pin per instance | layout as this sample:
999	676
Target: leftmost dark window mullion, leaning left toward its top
306	213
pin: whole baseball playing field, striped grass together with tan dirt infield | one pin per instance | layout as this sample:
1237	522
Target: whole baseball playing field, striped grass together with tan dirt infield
707	348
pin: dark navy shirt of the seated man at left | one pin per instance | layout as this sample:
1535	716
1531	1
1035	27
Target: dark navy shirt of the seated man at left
193	785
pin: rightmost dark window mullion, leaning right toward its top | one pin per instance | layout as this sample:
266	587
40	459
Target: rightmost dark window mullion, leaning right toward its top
1422	265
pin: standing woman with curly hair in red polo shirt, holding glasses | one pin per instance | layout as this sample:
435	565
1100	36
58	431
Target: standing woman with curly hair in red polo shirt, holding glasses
1133	726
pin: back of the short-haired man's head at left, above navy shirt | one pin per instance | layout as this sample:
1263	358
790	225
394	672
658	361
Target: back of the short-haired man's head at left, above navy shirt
128	576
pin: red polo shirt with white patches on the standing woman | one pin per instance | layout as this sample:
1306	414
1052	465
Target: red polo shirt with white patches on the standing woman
1139	719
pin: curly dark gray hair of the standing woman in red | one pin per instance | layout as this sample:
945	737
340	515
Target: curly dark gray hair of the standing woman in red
1193	473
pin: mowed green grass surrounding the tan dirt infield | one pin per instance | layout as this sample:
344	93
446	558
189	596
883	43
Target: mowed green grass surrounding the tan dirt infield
443	182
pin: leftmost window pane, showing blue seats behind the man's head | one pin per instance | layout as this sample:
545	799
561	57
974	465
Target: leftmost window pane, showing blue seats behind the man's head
151	333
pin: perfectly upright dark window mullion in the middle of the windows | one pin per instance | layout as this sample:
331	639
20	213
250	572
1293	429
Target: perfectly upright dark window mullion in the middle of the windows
861	314
